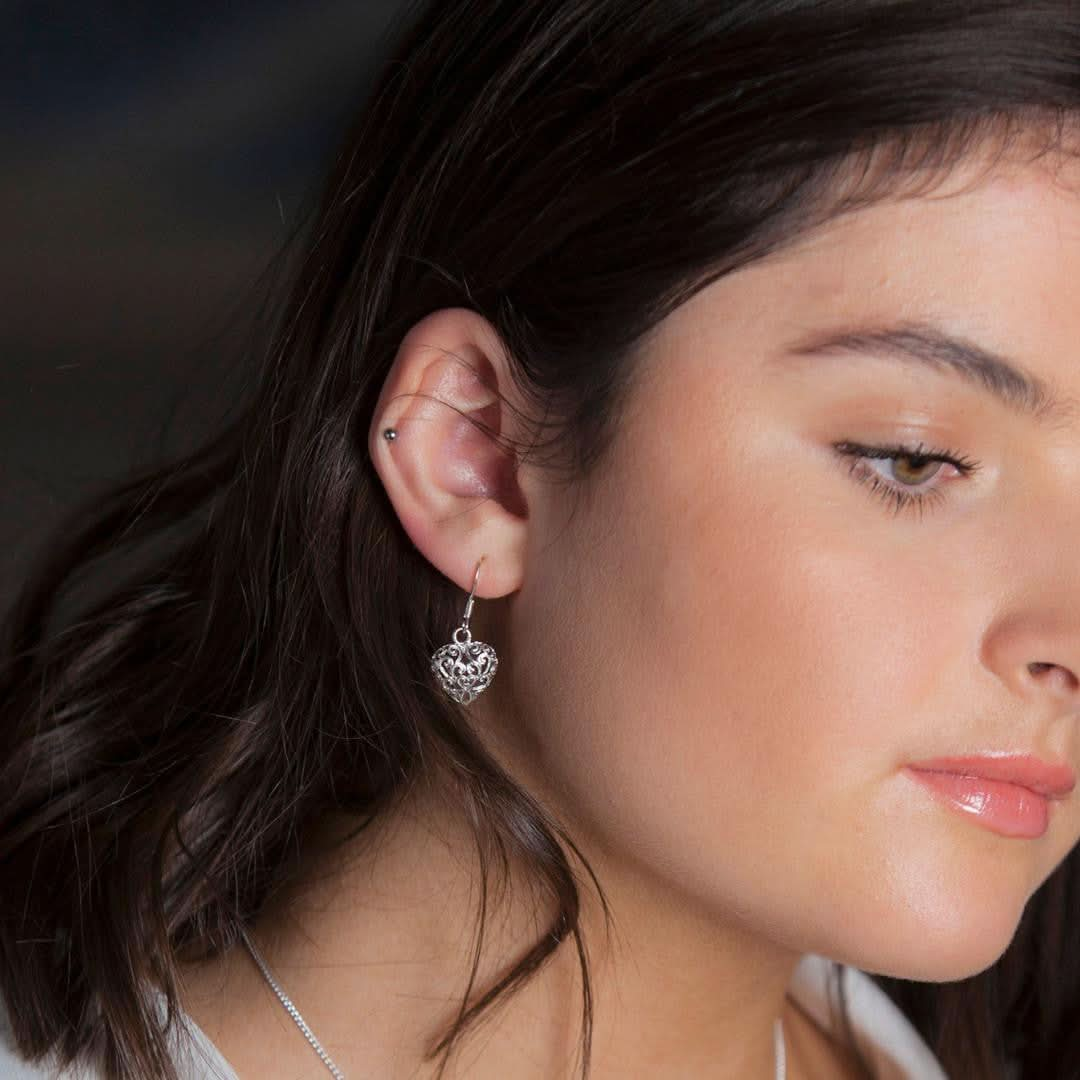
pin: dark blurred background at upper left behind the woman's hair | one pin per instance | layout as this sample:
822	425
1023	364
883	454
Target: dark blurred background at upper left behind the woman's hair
156	158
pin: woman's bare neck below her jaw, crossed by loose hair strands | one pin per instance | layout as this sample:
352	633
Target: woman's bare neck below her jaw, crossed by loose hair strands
393	914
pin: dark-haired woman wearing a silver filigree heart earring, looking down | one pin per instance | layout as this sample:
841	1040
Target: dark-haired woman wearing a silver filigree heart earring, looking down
665	453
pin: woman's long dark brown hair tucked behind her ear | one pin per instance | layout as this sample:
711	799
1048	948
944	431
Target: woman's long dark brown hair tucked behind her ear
573	170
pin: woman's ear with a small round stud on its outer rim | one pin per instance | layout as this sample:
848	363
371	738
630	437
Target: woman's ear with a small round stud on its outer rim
454	487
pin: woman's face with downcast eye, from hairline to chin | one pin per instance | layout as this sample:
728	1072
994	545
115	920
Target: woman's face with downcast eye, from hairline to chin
720	666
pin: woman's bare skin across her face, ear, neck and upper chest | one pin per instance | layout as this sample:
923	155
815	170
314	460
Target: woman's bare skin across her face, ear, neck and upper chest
725	737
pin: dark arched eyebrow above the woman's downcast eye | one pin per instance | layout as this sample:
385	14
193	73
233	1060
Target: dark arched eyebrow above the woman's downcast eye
926	345
